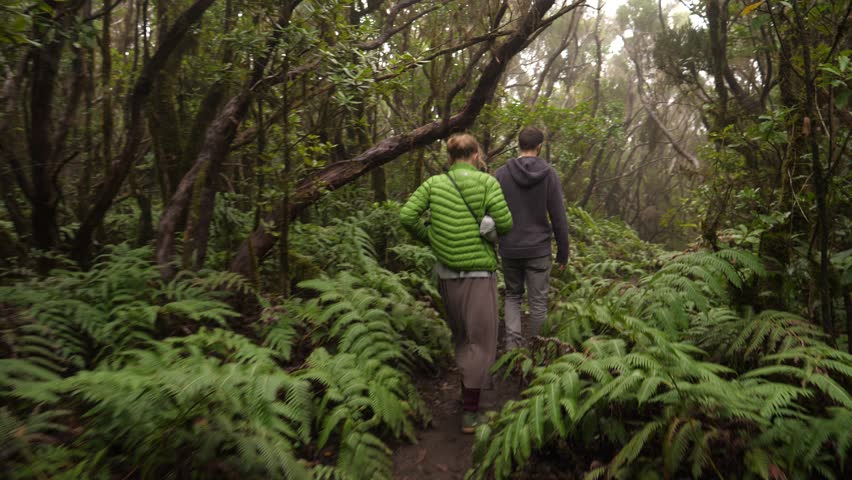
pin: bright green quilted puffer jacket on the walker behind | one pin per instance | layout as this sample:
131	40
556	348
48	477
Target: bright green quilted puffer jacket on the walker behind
453	233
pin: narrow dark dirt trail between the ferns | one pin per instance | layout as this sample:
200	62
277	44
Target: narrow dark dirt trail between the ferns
442	451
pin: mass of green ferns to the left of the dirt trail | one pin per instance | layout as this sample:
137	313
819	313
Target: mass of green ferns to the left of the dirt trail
114	372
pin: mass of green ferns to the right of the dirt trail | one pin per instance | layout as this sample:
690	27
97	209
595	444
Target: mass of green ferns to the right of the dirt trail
654	375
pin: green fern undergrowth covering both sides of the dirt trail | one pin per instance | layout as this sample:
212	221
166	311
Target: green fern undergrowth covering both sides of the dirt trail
653	364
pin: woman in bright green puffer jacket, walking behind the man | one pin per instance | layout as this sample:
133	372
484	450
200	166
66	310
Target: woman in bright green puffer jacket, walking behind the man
466	262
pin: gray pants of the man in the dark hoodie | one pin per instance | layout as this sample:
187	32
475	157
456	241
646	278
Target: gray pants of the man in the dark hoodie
535	274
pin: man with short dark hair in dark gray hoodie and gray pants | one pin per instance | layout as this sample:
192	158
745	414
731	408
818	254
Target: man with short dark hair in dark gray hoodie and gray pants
533	192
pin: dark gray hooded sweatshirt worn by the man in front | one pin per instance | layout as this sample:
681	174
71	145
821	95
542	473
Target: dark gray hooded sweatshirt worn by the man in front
533	192
